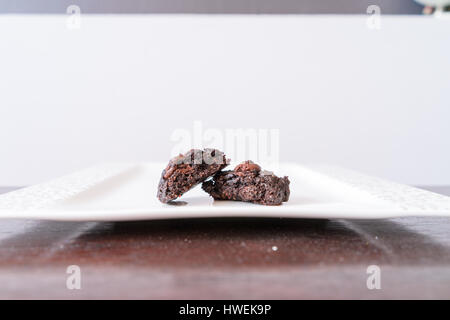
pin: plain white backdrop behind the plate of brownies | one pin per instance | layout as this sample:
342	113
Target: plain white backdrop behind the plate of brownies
115	90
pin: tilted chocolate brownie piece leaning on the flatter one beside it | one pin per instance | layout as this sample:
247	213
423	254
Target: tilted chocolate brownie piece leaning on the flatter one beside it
187	170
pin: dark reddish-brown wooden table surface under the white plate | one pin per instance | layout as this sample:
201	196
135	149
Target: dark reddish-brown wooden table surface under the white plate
226	258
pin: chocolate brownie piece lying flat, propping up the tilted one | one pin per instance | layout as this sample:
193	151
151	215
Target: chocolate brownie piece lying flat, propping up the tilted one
247	182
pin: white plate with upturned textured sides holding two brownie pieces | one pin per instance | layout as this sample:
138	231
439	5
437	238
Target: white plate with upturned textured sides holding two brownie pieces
113	192
